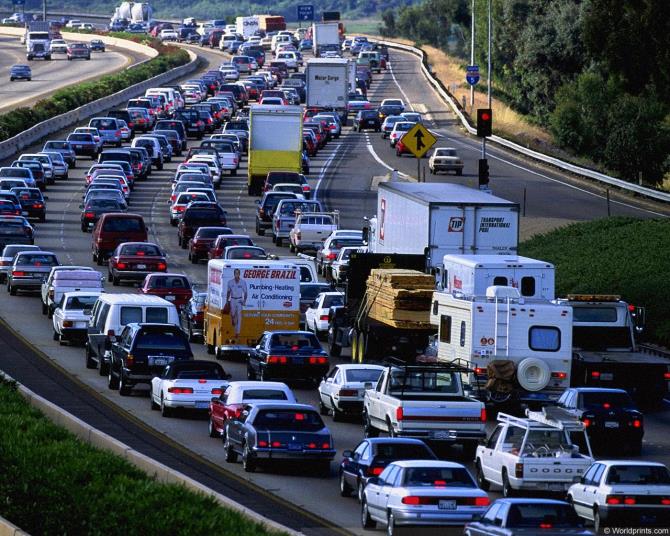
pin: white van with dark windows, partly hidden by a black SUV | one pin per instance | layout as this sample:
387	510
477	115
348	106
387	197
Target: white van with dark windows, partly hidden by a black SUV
112	312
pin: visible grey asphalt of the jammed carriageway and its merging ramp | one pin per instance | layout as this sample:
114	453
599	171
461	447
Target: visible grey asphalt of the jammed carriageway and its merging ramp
341	176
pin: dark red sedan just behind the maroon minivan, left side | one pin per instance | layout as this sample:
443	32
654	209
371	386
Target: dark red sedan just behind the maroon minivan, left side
132	261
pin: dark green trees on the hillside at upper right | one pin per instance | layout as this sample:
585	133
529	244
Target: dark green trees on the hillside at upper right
596	73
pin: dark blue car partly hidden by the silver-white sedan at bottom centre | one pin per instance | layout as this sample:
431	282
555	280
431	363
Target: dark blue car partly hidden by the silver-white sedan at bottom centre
371	457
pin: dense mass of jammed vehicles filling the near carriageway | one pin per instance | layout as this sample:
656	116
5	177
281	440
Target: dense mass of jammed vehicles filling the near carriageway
418	384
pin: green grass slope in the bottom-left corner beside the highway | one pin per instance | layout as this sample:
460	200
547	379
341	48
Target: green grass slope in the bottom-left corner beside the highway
53	483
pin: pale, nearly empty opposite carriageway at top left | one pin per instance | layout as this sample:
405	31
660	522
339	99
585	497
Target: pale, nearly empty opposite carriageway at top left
49	76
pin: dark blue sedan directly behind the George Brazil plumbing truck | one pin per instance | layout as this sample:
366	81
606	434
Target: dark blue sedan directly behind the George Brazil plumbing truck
287	355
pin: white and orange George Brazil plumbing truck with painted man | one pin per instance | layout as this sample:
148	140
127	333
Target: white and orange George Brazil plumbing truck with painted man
246	298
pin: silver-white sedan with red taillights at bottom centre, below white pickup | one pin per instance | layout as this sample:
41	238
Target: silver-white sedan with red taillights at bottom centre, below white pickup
422	493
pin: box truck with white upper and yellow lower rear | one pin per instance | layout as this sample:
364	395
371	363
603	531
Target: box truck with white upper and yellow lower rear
275	142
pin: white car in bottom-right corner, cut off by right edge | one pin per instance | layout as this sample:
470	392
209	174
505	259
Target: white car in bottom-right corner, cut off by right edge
623	493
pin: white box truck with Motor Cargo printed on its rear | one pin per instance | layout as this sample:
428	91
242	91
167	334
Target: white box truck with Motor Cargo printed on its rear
328	84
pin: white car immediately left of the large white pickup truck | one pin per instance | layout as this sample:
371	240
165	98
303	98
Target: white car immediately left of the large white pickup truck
343	389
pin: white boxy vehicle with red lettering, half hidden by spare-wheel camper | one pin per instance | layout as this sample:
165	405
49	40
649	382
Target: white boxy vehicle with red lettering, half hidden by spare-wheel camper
473	274
